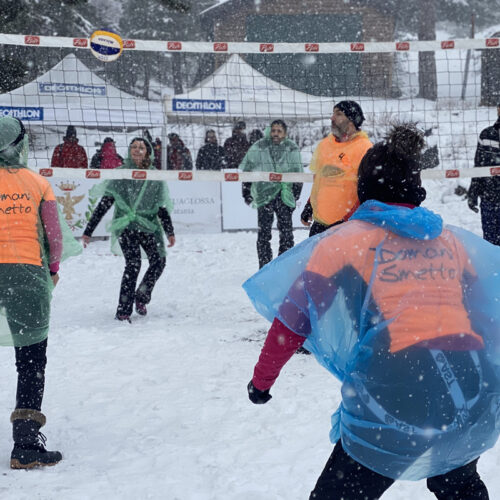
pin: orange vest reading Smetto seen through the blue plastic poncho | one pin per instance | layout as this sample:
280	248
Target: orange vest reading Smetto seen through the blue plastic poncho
418	283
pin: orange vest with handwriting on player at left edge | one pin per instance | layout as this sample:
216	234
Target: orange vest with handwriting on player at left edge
21	193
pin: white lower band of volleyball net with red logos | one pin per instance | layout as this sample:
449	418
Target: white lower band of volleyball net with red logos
187	176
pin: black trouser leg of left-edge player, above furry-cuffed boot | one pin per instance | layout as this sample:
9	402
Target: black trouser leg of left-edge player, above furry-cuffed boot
30	364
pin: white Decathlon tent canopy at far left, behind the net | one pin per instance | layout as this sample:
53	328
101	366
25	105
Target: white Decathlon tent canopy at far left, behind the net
71	93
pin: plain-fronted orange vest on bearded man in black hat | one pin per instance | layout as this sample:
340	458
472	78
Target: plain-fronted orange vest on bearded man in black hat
335	165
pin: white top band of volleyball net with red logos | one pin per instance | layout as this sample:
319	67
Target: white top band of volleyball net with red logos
256	47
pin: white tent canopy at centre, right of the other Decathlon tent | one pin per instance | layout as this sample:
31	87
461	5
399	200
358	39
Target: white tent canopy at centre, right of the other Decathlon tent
238	90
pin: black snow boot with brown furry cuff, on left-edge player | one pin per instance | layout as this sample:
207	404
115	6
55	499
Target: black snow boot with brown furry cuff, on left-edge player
29	443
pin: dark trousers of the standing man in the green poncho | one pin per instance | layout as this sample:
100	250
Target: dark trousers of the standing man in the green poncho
265	217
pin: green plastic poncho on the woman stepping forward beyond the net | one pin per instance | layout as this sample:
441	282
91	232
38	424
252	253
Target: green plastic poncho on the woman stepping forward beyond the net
136	204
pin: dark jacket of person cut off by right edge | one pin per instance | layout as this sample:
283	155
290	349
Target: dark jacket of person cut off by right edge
487	154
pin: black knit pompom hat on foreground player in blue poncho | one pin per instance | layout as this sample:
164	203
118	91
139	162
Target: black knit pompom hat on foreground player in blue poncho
390	170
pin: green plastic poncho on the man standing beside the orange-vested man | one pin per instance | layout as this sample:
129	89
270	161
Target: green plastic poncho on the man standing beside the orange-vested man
264	156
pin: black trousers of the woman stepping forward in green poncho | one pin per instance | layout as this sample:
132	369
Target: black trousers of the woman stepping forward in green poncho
131	242
